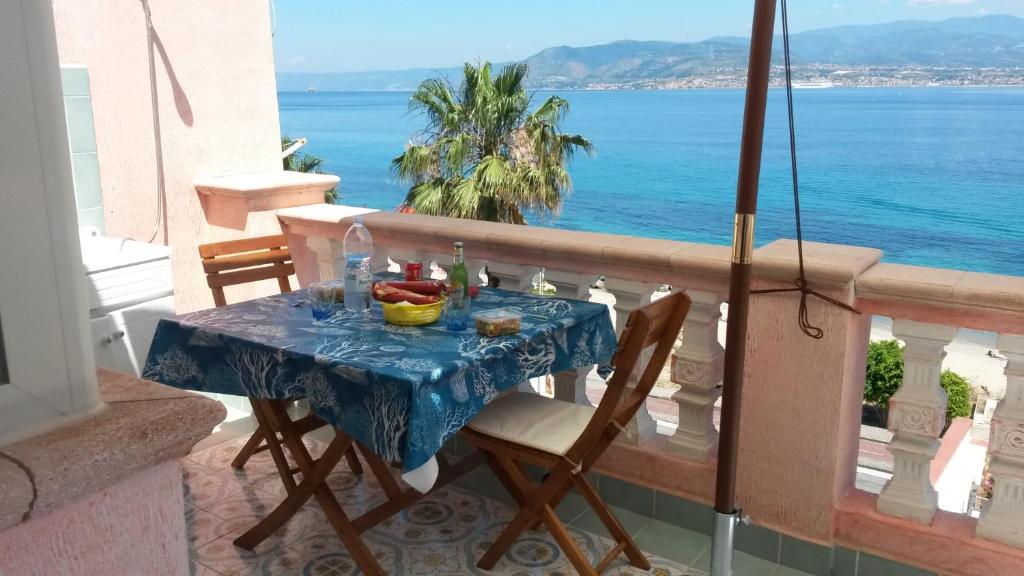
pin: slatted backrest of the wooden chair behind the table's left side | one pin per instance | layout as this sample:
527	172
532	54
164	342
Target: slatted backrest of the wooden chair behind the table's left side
249	260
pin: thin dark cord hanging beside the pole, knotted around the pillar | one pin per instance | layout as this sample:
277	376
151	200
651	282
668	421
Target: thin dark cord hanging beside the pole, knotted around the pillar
802	285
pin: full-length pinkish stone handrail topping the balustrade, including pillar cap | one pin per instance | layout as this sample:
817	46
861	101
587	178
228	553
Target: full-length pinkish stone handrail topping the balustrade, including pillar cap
984	302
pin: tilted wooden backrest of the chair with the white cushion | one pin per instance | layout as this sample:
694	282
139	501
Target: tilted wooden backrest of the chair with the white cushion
658	325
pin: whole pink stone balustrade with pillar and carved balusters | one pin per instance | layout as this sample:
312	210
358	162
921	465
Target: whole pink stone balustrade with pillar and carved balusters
802	400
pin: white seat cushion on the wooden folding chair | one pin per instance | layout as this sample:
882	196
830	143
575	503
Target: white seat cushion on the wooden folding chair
530	420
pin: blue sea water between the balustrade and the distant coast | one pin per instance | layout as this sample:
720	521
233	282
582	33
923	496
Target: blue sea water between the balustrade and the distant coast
932	177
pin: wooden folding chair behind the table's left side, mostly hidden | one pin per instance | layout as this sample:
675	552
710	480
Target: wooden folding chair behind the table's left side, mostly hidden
253	260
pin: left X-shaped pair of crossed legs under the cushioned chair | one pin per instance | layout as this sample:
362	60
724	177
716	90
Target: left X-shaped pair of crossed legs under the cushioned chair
537	505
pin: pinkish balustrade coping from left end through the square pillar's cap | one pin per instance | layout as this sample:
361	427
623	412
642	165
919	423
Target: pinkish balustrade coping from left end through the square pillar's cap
700	267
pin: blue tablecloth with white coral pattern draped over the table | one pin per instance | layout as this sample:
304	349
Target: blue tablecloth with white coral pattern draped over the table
400	391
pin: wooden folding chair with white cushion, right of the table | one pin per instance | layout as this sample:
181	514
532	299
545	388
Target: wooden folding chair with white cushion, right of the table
567	439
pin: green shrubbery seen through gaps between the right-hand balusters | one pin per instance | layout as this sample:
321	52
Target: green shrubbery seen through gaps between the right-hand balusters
885	375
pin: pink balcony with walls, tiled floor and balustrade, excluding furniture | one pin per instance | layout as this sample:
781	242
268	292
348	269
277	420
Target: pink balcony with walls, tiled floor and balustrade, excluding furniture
183	129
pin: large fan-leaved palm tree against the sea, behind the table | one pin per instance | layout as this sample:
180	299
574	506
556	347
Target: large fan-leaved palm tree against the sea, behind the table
484	155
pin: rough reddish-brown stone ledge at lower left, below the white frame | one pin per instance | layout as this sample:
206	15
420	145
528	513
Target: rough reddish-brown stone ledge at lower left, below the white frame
142	426
